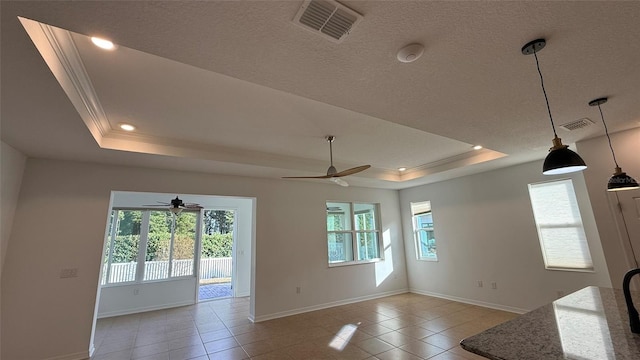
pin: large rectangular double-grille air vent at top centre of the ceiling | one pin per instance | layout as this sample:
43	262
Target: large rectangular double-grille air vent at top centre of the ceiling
327	18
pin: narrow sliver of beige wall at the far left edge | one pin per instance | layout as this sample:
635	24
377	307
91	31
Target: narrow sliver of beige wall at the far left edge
12	166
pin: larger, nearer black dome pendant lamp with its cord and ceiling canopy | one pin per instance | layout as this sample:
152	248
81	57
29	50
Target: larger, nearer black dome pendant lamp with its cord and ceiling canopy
560	159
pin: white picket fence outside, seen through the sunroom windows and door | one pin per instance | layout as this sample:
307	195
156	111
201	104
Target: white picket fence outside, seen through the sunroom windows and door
210	268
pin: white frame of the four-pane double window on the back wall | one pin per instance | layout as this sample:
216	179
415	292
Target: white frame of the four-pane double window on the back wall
354	235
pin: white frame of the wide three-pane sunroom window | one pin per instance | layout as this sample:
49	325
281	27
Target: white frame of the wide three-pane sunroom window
142	249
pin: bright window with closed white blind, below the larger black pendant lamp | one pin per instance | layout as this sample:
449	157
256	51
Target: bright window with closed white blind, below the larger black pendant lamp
560	231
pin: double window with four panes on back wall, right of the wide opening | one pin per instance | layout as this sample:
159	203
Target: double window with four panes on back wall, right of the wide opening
353	233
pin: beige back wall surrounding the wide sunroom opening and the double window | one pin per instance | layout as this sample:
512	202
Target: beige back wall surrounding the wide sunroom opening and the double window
61	220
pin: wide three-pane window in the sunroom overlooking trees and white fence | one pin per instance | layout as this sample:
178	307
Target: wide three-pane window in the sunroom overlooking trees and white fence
145	245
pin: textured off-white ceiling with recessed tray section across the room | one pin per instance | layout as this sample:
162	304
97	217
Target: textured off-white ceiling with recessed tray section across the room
234	87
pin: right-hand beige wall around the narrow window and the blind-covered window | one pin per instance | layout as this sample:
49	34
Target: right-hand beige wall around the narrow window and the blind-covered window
485	230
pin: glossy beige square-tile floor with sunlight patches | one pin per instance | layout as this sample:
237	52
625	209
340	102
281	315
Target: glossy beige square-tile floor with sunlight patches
407	326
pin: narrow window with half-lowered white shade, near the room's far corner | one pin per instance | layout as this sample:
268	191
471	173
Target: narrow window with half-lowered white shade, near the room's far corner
423	235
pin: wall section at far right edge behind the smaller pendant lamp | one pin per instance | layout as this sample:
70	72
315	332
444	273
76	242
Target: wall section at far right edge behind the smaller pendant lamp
597	155
